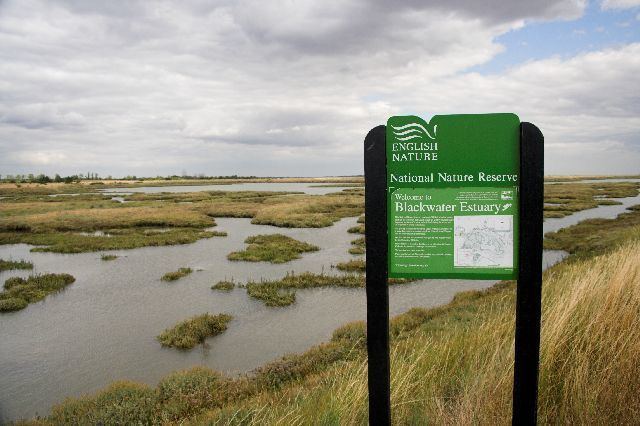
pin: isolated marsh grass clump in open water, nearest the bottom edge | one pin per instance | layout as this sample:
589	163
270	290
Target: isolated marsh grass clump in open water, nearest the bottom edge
191	332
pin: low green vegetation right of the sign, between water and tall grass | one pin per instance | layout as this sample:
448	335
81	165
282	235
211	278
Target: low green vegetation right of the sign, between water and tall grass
594	236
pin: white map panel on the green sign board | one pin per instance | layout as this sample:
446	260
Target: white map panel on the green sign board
483	241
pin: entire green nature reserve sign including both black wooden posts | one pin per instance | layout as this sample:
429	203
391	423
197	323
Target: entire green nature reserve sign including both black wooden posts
459	196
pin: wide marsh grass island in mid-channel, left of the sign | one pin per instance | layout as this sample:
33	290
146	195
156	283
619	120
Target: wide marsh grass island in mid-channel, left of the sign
274	248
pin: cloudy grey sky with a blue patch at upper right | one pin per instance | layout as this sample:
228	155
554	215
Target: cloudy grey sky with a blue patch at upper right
290	88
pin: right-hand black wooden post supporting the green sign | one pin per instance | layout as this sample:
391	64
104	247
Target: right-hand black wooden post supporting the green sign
529	290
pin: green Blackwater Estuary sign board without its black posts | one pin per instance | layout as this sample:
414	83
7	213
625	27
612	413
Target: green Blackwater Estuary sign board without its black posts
453	196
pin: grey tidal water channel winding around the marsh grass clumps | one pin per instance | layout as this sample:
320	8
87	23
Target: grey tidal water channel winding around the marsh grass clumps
102	328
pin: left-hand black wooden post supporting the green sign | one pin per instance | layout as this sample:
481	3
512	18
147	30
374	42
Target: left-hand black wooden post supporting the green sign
375	179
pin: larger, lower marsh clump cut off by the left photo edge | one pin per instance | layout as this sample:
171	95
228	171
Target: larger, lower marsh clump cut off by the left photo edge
19	292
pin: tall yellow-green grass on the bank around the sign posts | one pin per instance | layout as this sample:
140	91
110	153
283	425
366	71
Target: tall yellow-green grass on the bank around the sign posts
459	369
